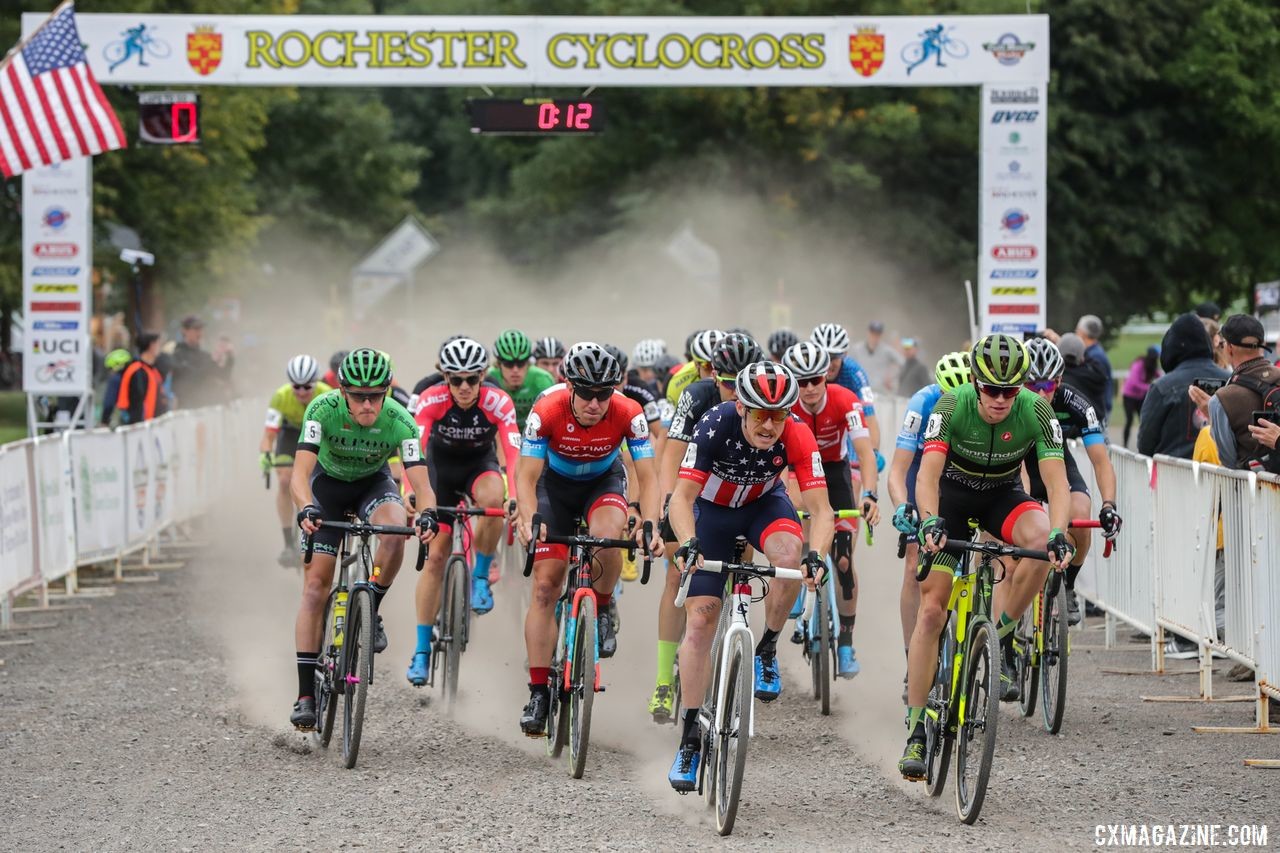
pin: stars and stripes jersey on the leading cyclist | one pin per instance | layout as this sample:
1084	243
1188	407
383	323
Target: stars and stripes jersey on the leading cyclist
734	473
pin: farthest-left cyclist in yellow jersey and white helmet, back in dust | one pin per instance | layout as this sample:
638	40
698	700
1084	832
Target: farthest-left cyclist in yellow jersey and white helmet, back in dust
281	435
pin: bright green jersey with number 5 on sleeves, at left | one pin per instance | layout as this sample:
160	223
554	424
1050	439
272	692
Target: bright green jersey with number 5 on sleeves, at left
349	451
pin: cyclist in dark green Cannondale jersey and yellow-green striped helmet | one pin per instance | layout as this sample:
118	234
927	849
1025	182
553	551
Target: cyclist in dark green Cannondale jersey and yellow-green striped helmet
975	444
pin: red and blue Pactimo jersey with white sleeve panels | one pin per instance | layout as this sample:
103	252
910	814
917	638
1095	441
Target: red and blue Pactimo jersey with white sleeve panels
582	453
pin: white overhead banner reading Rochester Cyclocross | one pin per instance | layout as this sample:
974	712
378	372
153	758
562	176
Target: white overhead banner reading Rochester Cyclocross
508	51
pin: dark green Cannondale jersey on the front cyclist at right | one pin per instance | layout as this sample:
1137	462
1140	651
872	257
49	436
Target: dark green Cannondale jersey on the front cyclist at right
986	457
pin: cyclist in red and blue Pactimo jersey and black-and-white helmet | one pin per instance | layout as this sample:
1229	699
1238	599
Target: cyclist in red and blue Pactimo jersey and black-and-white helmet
570	468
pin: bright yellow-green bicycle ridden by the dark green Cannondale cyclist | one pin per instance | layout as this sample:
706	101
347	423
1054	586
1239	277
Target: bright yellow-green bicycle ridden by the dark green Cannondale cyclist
964	703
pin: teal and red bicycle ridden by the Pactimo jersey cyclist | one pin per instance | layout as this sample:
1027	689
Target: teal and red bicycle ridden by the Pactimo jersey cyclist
575	677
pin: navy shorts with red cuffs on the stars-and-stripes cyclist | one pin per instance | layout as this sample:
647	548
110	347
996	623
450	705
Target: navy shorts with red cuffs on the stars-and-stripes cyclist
719	527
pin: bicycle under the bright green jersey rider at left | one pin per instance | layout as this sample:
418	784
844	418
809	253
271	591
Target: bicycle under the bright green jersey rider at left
348	647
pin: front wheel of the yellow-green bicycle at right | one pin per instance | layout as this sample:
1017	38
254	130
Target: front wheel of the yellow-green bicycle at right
982	713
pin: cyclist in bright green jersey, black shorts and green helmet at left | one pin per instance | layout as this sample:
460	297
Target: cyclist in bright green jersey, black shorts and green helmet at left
340	467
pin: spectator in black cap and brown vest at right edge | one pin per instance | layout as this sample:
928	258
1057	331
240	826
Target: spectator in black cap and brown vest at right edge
1231	412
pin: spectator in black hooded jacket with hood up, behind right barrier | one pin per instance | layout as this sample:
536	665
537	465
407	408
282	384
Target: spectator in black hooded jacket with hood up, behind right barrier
1168	419
